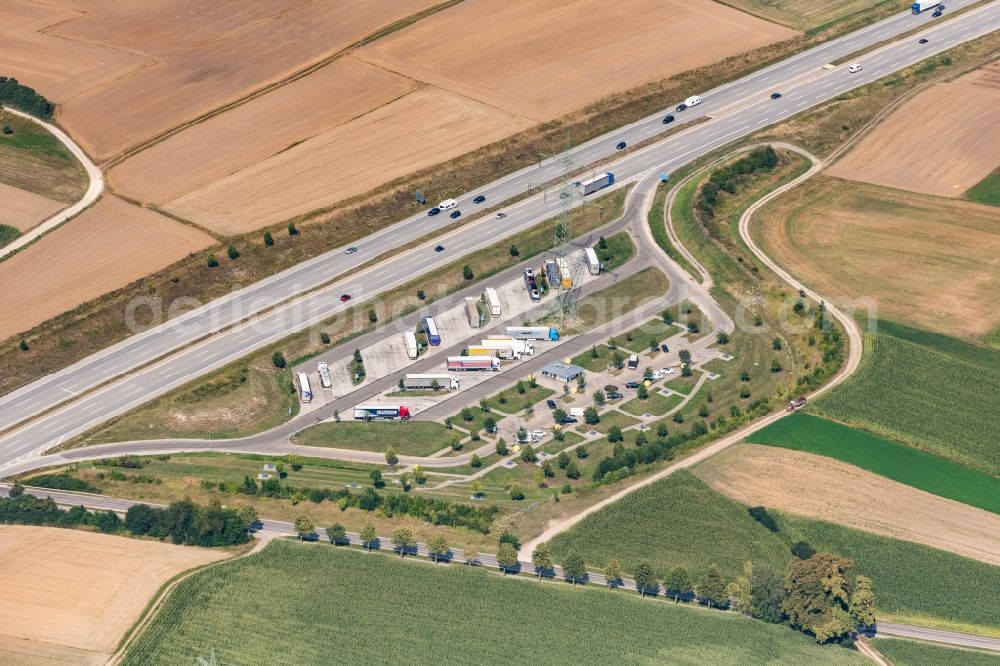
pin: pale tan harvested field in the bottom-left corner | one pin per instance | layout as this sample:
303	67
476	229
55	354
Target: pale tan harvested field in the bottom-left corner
68	596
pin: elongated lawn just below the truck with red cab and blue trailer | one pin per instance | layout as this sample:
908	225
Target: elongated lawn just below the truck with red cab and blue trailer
412	438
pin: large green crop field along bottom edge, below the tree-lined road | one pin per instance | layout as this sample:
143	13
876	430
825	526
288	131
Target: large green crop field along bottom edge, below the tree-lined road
379	608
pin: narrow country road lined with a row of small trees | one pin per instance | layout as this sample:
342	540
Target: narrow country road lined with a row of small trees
280	528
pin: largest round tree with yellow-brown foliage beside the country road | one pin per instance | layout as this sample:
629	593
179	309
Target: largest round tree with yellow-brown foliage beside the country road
818	596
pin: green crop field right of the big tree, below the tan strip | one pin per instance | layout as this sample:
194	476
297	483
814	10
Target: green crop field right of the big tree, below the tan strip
913	582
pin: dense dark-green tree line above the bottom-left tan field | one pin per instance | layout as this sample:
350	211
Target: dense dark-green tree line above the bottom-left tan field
183	522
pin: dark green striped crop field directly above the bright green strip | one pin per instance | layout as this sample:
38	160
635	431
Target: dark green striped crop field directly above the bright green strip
926	398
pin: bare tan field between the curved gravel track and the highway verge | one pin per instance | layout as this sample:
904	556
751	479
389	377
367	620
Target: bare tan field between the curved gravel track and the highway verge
106	247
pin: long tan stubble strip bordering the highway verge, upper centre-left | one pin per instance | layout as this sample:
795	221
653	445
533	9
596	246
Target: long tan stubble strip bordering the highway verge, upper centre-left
423	128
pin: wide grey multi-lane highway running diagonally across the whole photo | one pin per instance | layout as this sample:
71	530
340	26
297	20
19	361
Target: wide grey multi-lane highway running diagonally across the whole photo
737	109
